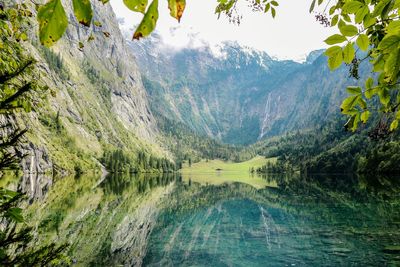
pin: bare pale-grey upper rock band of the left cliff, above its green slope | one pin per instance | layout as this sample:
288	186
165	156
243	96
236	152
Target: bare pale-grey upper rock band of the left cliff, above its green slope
116	64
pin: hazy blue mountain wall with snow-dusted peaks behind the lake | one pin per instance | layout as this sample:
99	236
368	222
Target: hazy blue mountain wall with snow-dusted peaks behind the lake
237	94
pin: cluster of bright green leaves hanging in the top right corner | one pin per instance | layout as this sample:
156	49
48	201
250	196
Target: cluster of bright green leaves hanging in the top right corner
373	27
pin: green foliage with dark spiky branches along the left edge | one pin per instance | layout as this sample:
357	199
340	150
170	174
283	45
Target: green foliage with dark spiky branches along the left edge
19	92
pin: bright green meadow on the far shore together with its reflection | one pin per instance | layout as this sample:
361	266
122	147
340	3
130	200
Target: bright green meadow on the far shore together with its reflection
218	172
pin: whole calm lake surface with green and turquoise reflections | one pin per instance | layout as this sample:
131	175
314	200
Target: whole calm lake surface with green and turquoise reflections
318	221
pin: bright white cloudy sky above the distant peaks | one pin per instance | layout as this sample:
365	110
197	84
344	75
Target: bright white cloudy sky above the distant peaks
291	35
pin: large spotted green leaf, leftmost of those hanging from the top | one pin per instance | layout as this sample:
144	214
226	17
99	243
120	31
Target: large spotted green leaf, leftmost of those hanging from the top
52	22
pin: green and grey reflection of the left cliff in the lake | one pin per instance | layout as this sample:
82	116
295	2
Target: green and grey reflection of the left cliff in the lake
105	219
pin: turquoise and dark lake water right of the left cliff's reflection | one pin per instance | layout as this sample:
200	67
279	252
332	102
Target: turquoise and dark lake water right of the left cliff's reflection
337	222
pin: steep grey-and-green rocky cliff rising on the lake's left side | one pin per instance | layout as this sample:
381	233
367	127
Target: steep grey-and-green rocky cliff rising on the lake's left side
96	100
